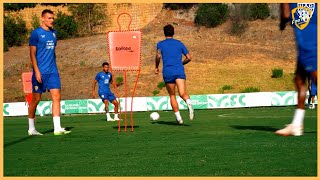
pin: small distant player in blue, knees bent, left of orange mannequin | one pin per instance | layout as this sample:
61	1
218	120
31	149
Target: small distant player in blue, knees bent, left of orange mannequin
104	79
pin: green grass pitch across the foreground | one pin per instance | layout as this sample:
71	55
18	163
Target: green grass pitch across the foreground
219	142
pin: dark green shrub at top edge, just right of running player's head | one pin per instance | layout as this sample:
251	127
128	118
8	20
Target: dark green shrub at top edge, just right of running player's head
211	15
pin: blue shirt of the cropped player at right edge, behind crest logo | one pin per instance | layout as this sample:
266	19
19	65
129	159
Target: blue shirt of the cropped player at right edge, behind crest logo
306	37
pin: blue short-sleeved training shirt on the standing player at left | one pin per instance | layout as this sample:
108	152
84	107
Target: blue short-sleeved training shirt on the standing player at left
45	42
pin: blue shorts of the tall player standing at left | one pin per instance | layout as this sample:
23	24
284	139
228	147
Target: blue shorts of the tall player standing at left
49	81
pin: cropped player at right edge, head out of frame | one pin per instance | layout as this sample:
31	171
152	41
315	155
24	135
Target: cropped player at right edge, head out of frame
303	18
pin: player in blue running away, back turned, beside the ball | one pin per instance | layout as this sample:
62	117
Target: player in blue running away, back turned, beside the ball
171	52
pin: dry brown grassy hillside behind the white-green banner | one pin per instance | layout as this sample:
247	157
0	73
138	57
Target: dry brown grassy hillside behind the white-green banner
218	59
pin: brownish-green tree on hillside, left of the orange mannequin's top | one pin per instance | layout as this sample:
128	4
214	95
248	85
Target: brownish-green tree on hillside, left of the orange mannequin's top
88	16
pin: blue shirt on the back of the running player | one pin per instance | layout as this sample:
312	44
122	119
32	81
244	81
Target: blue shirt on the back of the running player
171	52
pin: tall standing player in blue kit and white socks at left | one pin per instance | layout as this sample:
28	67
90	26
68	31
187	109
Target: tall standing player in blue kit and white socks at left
43	41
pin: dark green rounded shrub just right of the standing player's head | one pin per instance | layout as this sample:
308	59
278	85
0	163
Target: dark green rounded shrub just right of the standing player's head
66	26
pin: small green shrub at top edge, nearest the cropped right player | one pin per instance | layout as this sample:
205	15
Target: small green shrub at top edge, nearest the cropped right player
258	11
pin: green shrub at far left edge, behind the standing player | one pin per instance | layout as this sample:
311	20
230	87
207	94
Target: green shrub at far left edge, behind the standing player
15	31
